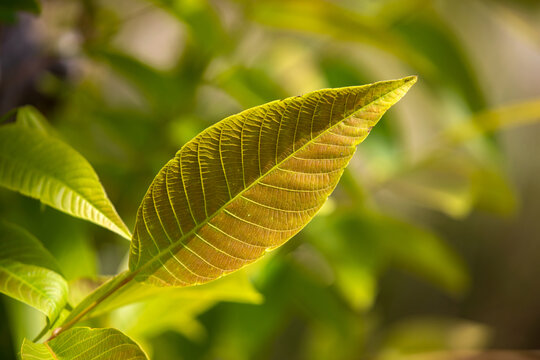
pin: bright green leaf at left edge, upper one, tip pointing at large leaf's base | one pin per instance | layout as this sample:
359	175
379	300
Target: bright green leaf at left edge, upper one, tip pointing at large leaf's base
46	168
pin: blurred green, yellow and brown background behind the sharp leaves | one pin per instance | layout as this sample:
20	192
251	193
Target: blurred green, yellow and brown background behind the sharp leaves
429	245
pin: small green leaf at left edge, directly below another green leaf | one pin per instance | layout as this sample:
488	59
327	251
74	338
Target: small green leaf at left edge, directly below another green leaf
29	273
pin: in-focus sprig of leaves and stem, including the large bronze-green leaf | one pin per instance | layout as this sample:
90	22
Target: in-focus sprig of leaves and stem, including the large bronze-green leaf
249	183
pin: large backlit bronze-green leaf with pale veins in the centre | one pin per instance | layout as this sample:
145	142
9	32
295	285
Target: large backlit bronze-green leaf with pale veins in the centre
249	183
